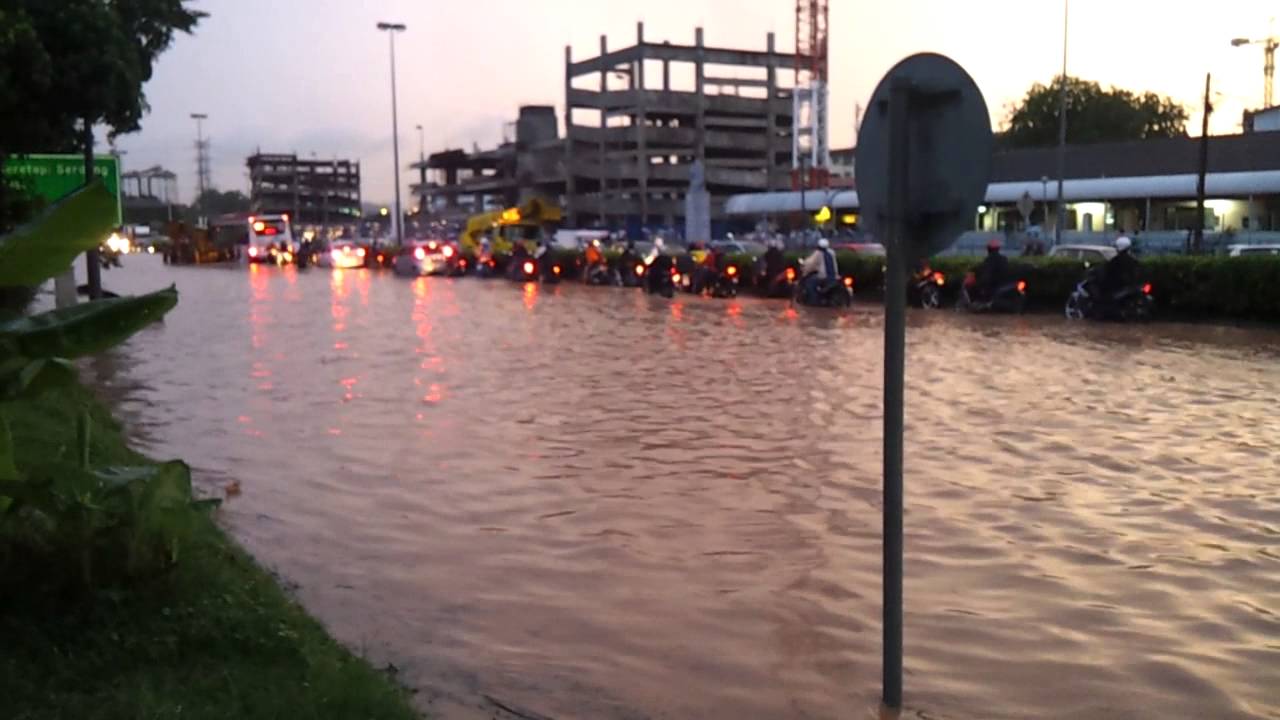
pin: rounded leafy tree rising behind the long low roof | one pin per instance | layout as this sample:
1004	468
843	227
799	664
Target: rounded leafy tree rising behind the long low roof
1094	115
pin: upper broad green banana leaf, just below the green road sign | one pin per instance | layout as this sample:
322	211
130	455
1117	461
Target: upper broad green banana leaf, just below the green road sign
49	244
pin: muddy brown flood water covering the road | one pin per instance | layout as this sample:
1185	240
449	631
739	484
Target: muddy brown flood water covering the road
592	504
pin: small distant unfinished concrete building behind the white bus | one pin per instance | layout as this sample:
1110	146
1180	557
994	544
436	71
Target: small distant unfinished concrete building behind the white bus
314	193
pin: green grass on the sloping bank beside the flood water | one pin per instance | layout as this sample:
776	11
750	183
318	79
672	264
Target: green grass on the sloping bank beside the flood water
216	639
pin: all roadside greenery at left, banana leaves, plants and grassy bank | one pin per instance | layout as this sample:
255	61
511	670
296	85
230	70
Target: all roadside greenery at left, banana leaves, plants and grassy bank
121	598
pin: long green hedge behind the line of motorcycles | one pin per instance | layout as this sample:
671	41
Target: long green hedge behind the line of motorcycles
1246	289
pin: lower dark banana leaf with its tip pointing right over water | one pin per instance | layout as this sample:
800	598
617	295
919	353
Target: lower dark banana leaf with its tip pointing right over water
86	329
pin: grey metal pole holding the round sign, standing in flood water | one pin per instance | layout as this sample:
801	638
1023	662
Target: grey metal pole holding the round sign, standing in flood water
895	371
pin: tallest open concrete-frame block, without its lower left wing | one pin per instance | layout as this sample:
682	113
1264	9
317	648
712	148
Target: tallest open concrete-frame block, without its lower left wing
639	117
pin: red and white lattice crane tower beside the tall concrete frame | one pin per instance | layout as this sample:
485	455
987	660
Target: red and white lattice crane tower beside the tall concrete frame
811	153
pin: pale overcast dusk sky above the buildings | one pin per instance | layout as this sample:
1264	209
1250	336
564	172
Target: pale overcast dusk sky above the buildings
313	76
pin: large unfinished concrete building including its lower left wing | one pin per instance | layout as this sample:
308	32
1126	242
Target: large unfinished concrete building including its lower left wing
637	120
